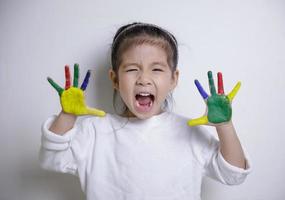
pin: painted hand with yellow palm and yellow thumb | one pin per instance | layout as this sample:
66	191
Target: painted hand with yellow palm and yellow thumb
72	98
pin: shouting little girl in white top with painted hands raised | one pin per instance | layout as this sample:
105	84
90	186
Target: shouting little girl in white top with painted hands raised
146	152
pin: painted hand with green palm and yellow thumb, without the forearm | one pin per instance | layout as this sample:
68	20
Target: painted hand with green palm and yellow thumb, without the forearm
219	108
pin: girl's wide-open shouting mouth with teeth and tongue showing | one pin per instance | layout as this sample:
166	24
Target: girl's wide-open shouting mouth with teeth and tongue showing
144	101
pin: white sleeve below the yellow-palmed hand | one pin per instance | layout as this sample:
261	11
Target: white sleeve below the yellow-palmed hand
64	153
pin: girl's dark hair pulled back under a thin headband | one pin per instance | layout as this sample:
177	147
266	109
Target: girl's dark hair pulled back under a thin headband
138	33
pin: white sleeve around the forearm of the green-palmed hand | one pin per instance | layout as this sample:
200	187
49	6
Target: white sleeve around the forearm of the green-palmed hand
215	166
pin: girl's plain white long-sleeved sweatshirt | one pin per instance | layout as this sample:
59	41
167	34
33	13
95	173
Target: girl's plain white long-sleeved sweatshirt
160	158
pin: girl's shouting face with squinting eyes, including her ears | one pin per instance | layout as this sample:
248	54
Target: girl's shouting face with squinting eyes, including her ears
144	80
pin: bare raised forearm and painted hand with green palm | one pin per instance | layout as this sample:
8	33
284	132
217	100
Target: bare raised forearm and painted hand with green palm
218	114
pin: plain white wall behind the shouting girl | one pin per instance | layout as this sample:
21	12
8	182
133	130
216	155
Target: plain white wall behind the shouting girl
243	39
